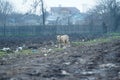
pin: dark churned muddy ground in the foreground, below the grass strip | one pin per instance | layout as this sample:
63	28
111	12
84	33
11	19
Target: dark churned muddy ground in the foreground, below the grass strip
86	62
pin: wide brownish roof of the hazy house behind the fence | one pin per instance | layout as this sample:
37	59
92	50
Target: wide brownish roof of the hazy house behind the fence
71	10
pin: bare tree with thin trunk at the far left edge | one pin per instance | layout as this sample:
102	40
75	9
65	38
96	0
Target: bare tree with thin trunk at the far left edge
5	9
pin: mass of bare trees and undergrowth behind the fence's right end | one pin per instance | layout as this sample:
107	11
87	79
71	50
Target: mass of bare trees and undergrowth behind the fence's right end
107	14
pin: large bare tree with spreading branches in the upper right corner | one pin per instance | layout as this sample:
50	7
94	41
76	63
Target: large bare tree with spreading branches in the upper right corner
108	11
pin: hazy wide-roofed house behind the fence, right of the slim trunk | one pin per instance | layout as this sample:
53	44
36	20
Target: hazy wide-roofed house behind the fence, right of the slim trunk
64	16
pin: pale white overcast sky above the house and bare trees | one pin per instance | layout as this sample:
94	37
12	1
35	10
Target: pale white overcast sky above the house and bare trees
82	5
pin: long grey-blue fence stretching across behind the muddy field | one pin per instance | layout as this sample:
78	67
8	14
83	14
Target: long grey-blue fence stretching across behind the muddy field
48	30
